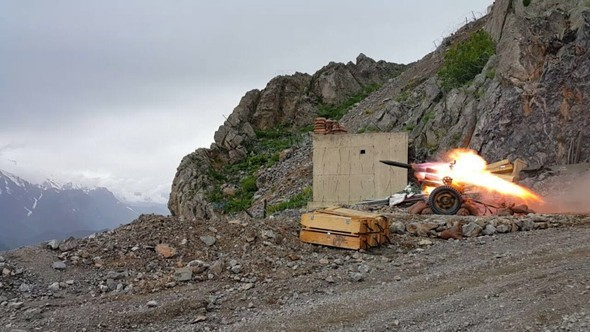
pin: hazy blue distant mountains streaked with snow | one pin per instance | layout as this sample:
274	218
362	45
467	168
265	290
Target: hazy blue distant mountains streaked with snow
31	213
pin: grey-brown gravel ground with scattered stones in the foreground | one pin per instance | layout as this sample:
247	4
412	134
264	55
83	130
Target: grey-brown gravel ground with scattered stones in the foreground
537	280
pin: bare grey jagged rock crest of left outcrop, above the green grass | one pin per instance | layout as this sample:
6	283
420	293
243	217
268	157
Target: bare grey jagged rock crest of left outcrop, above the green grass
291	101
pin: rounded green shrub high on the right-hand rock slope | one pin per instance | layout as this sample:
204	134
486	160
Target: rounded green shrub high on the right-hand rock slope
465	60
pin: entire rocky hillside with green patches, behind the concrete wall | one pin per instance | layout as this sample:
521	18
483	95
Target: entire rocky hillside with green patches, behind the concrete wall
511	84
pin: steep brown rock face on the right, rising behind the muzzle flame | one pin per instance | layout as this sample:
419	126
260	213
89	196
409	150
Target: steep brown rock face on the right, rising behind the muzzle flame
530	100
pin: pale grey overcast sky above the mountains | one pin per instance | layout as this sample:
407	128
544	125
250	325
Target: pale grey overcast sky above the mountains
115	93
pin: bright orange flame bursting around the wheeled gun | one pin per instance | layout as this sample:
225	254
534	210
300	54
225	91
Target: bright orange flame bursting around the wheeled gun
466	167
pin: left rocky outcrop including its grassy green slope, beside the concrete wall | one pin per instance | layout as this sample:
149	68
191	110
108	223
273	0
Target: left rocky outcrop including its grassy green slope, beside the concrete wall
266	122
